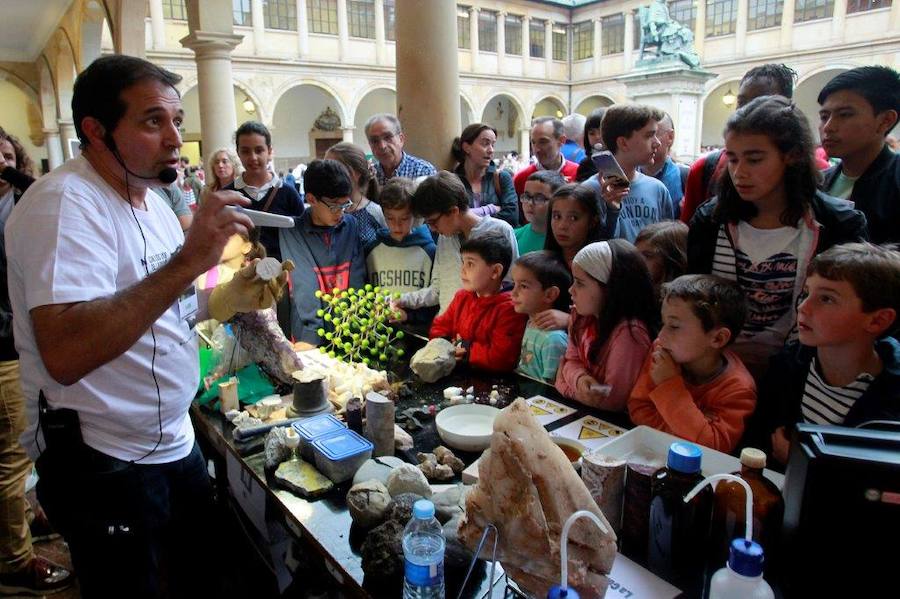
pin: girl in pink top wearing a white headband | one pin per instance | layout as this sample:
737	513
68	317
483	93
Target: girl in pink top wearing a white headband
612	324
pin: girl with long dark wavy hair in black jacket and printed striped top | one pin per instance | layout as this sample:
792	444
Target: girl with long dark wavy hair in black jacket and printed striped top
768	221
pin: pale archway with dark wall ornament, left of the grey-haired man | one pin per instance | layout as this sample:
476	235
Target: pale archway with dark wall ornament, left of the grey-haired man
293	133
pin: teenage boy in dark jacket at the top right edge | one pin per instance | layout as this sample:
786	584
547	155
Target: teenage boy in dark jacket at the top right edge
858	109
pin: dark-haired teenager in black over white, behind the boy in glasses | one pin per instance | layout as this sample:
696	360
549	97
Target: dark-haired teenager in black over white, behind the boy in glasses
258	183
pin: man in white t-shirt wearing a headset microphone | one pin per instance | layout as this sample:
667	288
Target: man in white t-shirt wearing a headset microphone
101	286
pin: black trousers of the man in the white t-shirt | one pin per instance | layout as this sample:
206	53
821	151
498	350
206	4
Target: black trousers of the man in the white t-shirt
134	530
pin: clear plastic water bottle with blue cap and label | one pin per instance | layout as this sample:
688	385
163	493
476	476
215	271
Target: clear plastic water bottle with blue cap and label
423	549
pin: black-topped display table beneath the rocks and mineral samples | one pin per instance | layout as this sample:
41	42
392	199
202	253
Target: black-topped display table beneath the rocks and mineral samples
324	525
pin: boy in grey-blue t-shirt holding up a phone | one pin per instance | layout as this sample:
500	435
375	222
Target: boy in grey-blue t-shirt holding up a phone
629	132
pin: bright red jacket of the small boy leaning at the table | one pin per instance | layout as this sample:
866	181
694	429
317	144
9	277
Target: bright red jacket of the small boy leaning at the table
489	325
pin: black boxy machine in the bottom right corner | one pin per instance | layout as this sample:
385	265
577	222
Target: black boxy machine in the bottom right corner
842	511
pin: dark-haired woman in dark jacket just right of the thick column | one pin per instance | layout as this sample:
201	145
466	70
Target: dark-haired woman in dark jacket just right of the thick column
491	191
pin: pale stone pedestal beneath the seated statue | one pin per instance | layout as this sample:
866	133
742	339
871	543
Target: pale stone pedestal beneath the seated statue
670	85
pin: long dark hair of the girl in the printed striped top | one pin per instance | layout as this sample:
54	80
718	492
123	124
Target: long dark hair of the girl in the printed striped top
787	128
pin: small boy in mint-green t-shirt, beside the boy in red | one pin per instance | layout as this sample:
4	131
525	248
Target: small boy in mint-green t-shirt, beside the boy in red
540	283
